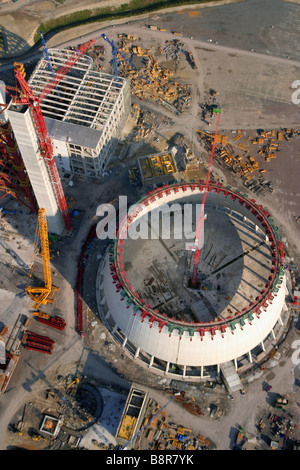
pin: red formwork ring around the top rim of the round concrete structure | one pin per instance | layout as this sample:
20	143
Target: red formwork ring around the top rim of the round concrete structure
251	205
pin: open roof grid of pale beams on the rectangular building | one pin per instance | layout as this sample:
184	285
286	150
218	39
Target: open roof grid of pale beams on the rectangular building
86	97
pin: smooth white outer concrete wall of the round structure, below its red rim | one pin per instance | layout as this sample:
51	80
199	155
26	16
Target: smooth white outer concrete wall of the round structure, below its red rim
180	349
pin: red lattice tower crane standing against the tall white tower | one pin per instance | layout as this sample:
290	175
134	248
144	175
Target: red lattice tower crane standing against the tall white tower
29	98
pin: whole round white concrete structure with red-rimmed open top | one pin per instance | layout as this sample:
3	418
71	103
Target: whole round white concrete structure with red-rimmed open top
143	283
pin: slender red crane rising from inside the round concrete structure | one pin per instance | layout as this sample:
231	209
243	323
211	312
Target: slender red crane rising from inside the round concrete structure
201	218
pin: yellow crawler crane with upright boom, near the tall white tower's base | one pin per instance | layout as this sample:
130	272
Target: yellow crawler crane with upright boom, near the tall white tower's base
42	295
